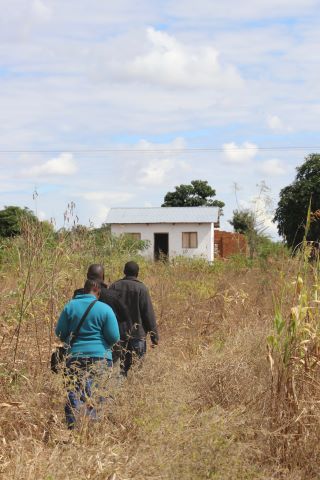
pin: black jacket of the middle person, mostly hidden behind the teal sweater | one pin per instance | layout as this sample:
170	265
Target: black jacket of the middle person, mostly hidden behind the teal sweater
113	299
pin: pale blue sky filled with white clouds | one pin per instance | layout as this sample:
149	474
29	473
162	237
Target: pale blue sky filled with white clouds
113	104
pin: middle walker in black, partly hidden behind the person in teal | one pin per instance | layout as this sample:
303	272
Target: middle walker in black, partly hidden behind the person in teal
113	299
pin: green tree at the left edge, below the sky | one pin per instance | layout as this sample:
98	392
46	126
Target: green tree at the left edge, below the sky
11	219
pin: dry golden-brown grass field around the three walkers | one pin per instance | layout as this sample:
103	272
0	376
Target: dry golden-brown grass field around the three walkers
232	391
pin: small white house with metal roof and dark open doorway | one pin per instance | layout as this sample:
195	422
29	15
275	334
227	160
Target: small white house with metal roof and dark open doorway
170	231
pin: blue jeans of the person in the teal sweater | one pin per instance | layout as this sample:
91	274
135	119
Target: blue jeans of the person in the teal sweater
85	380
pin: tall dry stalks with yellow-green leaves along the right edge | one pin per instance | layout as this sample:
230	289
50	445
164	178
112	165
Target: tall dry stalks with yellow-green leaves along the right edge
294	355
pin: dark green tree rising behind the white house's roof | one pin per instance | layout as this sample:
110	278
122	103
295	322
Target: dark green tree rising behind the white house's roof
198	193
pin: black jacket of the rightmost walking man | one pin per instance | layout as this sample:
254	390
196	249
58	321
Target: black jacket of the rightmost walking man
136	297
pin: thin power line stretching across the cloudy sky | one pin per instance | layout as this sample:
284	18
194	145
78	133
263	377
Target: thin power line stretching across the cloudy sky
162	150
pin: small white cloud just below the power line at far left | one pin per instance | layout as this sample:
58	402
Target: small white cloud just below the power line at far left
64	164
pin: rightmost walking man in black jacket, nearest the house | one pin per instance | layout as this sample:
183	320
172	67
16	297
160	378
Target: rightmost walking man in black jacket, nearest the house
136	297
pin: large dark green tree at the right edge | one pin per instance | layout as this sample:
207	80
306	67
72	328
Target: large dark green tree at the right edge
292	210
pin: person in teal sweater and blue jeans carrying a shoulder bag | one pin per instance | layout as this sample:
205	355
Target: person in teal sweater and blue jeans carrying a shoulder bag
89	355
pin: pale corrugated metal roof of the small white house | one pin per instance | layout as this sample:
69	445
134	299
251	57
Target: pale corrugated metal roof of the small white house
163	215
